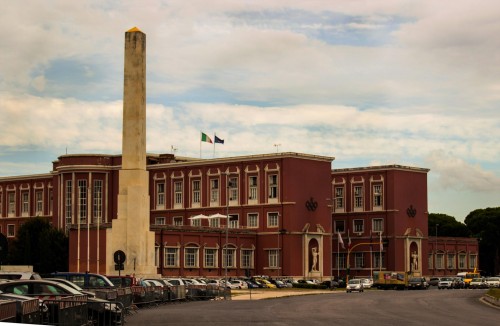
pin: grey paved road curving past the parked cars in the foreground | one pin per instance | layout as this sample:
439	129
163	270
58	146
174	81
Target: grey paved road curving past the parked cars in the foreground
447	307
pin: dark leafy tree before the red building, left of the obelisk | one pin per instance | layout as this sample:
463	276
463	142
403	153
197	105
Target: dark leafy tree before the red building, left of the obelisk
40	245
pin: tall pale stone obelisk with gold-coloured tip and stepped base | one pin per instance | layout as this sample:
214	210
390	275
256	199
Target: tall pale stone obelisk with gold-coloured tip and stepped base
130	231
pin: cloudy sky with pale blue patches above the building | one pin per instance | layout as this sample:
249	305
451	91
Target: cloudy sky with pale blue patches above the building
368	82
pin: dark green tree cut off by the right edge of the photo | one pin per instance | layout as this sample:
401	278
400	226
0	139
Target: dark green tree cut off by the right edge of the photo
485	225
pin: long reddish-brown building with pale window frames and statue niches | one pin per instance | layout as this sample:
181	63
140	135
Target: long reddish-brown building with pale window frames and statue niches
281	210
